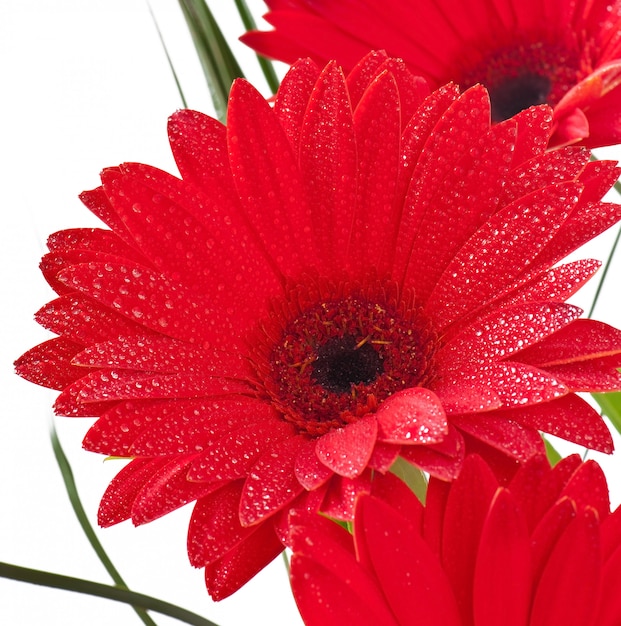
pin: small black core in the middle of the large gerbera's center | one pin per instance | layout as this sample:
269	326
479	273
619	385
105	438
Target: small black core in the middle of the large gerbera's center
342	362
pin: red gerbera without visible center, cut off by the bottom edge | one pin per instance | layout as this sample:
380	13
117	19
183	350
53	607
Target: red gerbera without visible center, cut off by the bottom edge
543	550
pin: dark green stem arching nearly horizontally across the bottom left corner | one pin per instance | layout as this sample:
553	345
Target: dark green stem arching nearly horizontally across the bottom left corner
58	581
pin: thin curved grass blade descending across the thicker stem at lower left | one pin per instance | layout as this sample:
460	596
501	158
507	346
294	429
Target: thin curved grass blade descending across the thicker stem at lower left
87	528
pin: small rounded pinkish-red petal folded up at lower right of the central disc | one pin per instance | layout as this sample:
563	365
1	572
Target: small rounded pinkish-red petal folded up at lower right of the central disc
412	416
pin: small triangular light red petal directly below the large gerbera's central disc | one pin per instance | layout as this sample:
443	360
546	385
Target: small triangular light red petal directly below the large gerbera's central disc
346	451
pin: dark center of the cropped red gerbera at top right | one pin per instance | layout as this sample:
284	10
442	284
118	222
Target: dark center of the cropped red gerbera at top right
525	75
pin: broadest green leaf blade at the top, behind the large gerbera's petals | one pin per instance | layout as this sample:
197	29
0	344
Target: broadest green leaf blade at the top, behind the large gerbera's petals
218	62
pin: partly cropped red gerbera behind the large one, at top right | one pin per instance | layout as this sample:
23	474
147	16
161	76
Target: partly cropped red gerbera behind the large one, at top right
564	53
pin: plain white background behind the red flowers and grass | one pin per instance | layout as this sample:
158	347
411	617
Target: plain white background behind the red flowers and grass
85	84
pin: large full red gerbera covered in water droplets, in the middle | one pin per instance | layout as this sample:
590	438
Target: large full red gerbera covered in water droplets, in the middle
360	272
